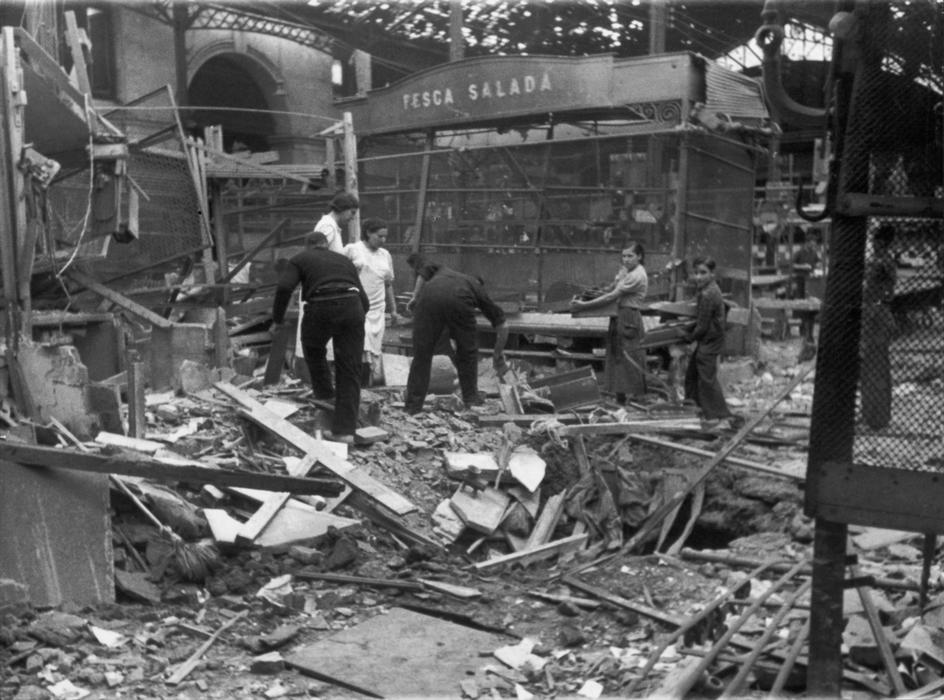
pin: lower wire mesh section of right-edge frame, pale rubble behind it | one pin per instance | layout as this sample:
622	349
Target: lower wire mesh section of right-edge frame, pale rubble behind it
900	407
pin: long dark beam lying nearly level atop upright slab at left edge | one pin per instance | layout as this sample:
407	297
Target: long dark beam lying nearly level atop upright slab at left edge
36	456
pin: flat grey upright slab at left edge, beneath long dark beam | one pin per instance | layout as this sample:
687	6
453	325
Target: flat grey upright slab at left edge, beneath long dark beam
55	534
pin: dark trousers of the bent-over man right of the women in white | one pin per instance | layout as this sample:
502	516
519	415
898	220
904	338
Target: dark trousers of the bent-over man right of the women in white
433	314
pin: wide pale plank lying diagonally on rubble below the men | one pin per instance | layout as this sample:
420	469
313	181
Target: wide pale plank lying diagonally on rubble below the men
309	445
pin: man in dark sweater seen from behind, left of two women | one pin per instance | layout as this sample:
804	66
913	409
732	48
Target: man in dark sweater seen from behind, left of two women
335	306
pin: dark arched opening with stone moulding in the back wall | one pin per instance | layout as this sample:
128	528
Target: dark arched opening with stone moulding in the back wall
246	93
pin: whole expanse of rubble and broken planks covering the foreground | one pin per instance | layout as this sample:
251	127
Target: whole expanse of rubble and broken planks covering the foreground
517	532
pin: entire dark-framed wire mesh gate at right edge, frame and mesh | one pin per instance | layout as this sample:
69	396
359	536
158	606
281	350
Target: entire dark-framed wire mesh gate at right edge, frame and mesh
877	443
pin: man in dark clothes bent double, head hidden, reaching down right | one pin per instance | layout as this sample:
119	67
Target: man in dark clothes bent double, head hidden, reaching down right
448	301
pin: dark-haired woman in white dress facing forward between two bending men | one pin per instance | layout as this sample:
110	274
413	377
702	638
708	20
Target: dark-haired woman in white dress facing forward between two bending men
375	268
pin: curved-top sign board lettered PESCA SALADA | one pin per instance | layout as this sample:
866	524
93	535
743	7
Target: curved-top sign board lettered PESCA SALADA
487	89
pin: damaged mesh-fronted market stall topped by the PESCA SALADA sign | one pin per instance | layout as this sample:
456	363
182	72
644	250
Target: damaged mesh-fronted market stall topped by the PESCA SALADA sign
531	171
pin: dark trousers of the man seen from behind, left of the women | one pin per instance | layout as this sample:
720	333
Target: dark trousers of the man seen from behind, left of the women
340	319
